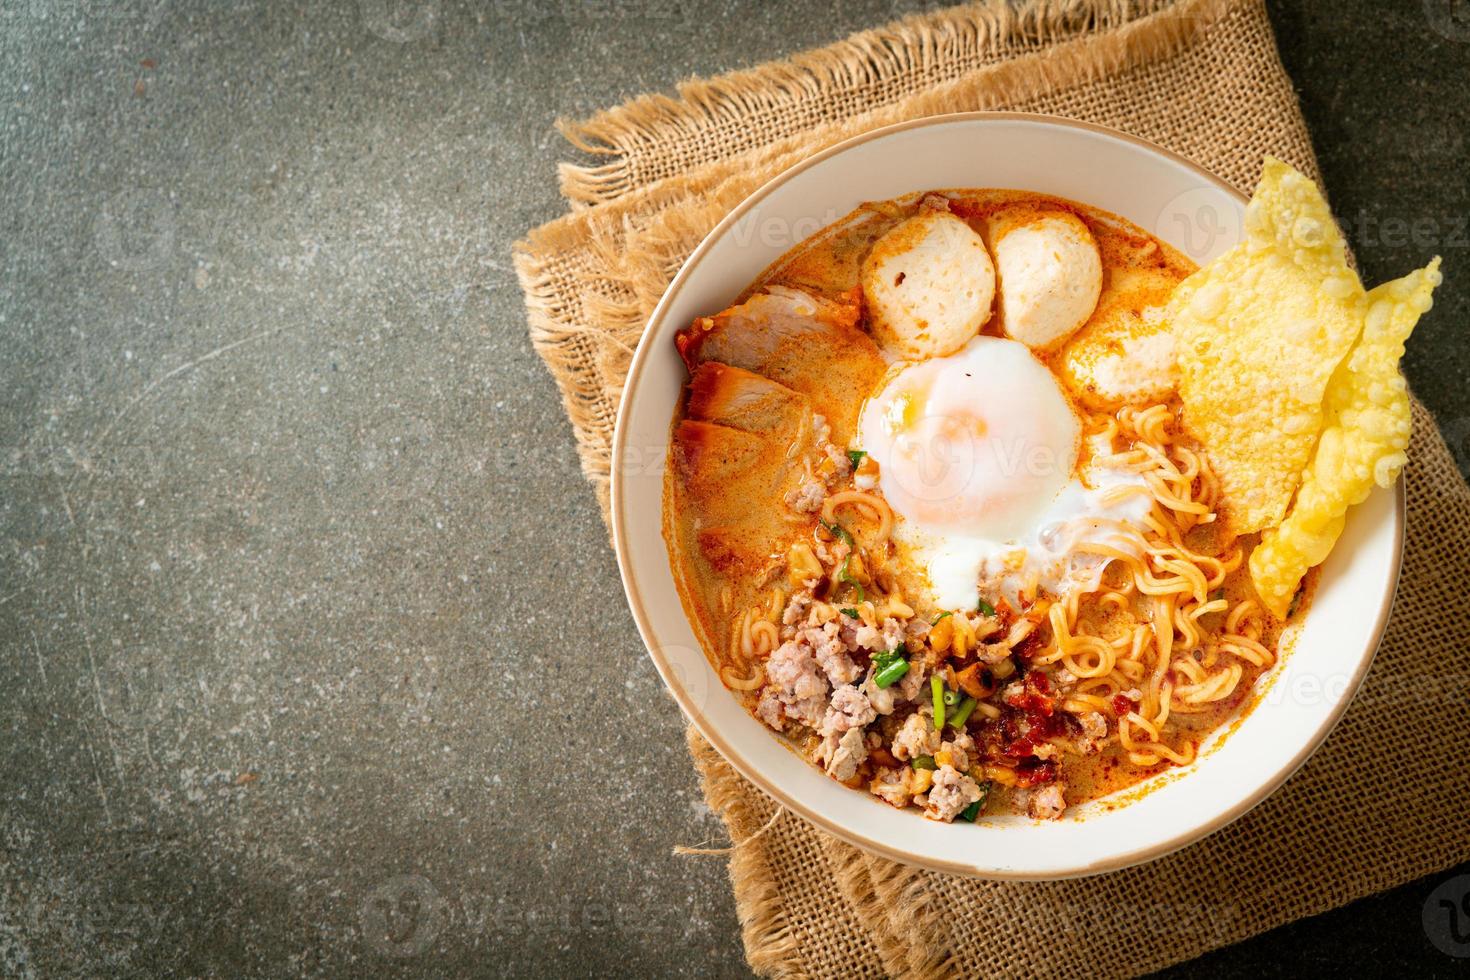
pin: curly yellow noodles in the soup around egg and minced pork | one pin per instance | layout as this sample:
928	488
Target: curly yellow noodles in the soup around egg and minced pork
1147	630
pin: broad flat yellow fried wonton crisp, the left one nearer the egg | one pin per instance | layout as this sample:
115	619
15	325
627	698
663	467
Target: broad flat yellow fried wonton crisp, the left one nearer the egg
1261	331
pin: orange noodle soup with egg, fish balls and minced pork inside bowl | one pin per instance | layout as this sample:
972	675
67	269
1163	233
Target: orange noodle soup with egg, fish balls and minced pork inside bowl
934	518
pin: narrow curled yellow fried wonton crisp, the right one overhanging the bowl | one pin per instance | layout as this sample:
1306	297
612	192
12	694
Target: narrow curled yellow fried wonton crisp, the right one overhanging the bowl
1365	440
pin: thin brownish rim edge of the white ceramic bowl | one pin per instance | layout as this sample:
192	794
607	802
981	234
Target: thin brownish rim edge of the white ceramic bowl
731	754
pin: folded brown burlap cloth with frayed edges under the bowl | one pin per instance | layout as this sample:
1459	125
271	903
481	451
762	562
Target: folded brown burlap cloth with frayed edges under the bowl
1385	799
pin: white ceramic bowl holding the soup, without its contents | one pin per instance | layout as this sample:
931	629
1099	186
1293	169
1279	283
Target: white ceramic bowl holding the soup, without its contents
1162	193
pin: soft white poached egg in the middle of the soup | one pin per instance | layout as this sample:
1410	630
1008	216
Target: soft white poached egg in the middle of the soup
978	456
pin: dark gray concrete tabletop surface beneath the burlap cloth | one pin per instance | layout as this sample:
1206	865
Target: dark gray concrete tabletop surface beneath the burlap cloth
314	656
